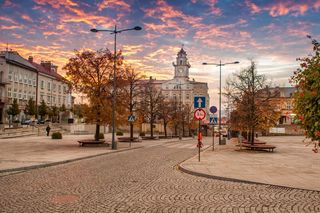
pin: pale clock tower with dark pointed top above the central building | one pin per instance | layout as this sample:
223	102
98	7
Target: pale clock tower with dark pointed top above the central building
181	67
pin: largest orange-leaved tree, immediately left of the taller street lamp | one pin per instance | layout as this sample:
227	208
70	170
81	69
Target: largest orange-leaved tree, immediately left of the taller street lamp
90	73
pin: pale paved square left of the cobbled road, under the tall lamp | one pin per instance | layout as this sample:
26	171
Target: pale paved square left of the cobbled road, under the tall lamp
22	153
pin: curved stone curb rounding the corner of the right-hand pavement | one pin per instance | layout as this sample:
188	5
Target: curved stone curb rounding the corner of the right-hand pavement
199	174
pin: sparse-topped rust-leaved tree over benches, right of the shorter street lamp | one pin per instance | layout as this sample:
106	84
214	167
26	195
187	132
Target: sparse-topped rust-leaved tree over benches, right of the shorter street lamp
251	98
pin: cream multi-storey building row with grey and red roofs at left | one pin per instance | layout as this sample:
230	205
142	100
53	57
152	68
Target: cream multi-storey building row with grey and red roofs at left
23	79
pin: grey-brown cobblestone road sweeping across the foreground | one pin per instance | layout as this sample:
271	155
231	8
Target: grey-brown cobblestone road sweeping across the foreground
143	180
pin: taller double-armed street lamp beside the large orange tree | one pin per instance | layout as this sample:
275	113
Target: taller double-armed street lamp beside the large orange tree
115	32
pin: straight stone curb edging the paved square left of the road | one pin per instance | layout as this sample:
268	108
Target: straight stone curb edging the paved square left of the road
26	168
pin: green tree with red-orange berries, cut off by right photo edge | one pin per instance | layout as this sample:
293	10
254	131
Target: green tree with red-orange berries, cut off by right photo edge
307	97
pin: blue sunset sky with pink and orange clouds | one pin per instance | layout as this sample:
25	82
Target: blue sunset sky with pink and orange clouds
270	32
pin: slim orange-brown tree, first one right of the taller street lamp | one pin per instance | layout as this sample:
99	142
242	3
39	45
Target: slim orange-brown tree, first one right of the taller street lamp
130	92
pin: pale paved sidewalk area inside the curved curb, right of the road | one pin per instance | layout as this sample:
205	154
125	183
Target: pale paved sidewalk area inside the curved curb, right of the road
292	164
